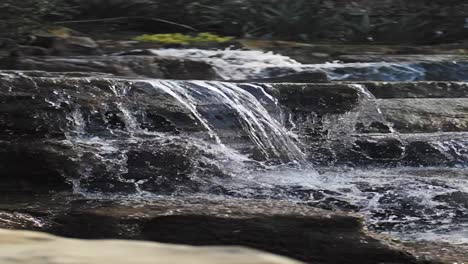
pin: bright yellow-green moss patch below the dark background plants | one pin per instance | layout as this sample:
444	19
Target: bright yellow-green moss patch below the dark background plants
178	38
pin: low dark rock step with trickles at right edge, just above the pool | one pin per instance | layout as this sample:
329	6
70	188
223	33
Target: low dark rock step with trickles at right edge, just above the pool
441	149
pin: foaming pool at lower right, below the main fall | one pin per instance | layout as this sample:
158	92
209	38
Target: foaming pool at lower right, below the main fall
409	203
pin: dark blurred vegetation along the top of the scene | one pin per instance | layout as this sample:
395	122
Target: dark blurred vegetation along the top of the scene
340	21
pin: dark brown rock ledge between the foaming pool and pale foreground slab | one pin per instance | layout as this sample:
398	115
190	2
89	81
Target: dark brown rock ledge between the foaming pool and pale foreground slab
274	226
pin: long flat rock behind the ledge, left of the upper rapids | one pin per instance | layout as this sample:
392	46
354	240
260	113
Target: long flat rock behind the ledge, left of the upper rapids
132	66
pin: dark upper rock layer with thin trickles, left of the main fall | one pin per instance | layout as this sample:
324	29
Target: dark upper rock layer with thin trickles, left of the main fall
59	106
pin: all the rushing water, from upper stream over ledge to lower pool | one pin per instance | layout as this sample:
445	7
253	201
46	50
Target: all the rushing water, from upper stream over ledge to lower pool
236	140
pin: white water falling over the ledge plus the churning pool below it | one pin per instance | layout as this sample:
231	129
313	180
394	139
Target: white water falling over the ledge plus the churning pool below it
409	203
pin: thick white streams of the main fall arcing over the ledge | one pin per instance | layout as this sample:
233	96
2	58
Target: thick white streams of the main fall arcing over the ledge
266	132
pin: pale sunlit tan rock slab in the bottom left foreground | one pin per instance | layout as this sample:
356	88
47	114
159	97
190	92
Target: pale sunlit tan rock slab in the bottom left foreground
33	247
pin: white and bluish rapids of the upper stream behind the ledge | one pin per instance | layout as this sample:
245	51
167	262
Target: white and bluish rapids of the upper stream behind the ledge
245	65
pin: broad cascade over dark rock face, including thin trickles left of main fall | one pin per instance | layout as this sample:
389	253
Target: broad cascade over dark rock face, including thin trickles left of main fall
236	125
